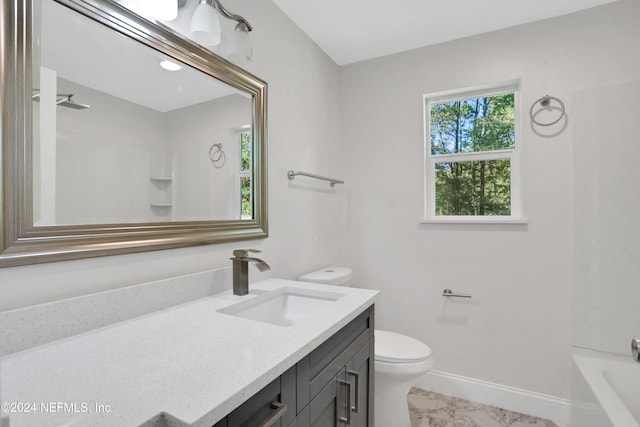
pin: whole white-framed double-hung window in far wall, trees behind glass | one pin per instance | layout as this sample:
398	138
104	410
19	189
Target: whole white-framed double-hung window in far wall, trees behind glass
472	164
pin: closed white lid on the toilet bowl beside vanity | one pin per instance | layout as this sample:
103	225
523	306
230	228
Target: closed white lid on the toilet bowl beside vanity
396	348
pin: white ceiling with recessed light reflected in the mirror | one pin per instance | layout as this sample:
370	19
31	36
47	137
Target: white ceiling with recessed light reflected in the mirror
90	54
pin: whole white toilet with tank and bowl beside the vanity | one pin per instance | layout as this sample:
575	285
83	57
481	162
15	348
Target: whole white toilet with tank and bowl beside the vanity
399	359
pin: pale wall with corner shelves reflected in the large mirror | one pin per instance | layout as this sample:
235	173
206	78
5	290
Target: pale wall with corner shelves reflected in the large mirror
106	155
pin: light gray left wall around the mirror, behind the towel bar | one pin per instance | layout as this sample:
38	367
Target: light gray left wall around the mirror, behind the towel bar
303	134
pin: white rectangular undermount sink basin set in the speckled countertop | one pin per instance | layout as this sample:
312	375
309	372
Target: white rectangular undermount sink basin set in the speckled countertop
283	307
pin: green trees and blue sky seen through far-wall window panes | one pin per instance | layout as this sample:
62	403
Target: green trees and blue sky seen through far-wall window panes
472	187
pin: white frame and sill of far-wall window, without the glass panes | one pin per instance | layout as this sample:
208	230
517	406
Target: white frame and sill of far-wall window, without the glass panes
513	155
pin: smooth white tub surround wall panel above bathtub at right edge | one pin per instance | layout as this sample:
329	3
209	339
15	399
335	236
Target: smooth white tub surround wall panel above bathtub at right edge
606	206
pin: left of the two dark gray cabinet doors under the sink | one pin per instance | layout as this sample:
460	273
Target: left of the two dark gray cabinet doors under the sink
330	407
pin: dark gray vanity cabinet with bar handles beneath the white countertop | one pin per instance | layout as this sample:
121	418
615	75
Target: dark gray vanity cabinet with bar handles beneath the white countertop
330	387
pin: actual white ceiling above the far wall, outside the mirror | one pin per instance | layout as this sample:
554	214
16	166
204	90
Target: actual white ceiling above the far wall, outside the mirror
355	30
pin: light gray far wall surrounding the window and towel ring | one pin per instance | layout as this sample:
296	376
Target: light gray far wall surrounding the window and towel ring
516	330
